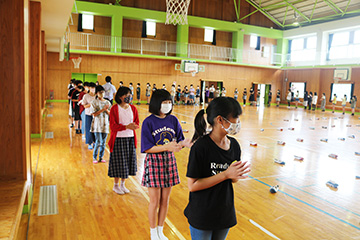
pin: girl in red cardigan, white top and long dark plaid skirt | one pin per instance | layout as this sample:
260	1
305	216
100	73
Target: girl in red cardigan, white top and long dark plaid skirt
124	120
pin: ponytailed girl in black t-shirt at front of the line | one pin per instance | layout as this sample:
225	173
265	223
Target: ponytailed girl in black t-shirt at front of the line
214	164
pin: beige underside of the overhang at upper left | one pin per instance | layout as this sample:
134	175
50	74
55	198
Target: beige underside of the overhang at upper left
55	16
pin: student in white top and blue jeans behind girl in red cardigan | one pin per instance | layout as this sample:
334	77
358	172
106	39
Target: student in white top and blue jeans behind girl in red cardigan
100	123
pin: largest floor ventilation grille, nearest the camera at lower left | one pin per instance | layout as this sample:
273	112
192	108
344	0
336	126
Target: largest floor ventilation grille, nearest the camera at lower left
48	204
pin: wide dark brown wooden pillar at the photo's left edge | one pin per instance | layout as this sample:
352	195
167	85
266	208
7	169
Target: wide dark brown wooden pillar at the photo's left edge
14	130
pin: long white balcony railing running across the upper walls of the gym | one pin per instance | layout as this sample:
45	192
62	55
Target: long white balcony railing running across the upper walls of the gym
145	46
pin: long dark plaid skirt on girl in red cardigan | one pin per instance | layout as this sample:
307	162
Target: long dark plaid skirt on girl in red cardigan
123	158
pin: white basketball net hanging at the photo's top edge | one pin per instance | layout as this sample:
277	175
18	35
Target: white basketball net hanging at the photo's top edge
176	12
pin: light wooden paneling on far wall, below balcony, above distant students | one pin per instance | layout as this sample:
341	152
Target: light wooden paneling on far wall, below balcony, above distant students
158	71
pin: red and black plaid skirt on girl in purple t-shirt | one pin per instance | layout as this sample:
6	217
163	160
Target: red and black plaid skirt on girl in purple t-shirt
160	170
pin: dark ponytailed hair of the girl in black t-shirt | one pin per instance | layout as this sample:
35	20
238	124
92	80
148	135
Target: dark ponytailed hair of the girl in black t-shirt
223	106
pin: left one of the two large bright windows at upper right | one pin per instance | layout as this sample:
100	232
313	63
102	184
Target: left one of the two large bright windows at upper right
303	49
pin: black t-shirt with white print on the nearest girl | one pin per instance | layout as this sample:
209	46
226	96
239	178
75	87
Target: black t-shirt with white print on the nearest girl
212	208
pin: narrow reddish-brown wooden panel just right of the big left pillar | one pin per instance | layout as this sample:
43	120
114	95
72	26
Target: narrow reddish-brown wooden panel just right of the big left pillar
35	67
